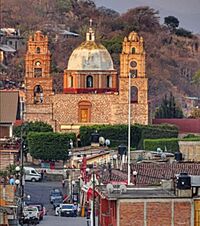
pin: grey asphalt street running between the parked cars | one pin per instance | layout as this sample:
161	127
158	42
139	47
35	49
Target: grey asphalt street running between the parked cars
39	192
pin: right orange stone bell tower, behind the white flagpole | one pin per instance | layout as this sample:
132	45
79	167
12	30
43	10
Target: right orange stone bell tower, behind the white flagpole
132	66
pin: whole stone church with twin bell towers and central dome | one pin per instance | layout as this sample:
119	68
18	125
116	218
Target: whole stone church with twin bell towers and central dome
93	92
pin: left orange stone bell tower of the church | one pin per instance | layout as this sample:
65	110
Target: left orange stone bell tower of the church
38	81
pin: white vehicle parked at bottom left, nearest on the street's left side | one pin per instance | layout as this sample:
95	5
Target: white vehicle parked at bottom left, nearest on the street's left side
31	215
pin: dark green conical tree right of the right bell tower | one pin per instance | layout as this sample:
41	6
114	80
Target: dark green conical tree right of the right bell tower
169	108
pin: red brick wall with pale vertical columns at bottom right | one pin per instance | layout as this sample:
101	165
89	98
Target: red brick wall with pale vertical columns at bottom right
152	212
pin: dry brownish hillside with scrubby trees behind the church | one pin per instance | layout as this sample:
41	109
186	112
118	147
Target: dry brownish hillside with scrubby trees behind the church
171	60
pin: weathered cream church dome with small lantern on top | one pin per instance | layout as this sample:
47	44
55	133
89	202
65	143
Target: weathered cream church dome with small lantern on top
90	56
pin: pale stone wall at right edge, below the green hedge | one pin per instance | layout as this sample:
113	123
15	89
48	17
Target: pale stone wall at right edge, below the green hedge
190	150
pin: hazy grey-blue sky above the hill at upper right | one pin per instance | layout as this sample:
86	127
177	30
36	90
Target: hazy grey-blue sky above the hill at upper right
186	11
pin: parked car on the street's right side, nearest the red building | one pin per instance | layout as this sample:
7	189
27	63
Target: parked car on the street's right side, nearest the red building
66	210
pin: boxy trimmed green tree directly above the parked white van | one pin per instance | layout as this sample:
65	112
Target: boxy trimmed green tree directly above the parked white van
49	145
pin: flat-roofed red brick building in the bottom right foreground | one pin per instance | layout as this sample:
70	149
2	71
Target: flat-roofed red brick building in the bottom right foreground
147	207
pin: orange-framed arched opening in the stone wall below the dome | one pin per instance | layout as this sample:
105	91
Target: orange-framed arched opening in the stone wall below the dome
84	112
